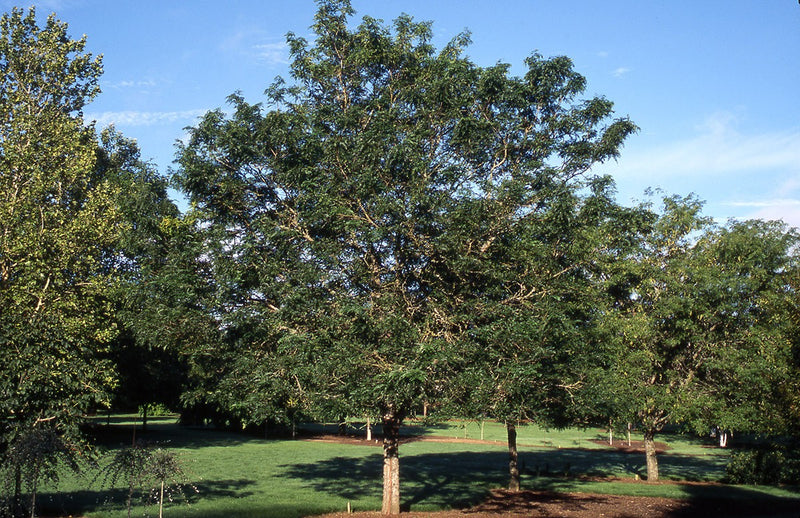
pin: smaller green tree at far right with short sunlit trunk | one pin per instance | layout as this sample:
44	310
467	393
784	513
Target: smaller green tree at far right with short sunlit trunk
696	309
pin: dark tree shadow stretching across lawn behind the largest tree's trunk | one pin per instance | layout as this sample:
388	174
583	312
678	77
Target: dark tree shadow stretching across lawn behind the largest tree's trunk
463	479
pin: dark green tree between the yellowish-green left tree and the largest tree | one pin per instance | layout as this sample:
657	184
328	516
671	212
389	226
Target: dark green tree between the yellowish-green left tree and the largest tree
151	368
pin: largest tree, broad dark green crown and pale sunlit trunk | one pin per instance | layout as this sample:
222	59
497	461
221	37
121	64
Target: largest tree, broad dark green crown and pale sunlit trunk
346	221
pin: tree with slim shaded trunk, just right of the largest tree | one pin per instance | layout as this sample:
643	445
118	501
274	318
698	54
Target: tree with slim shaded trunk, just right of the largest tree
533	322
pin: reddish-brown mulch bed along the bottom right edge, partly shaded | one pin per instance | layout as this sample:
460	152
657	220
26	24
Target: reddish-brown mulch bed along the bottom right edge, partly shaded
545	504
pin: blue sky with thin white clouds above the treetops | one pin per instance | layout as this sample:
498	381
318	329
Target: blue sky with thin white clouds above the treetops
714	85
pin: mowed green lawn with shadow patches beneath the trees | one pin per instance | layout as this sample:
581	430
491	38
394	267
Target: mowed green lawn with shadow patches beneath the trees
243	476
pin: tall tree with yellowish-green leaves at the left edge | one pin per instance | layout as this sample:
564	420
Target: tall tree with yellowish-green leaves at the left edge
58	228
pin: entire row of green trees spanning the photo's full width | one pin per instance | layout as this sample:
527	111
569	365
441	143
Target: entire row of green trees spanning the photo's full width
396	228
